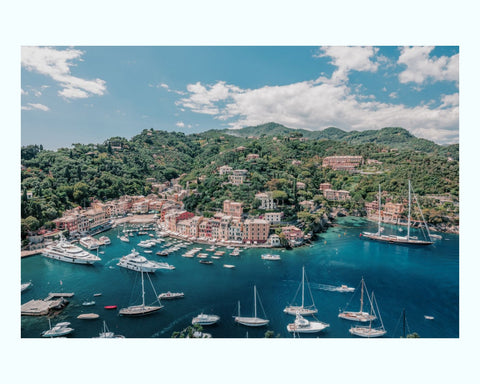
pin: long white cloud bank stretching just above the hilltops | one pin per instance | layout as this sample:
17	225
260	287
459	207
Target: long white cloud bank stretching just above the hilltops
313	105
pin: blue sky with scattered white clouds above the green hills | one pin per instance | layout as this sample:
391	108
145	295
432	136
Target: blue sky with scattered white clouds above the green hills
87	94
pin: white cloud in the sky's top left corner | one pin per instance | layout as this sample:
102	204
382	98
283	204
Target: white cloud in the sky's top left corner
56	64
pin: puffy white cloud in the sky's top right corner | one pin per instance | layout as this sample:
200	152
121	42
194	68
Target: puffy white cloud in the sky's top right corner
421	67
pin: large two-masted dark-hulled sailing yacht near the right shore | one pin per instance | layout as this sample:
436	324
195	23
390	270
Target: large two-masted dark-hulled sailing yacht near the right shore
393	239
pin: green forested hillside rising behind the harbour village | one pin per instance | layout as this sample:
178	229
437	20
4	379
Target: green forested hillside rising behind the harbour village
61	179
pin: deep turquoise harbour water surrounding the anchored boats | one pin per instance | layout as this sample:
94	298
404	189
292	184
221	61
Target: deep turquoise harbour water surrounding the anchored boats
423	280
